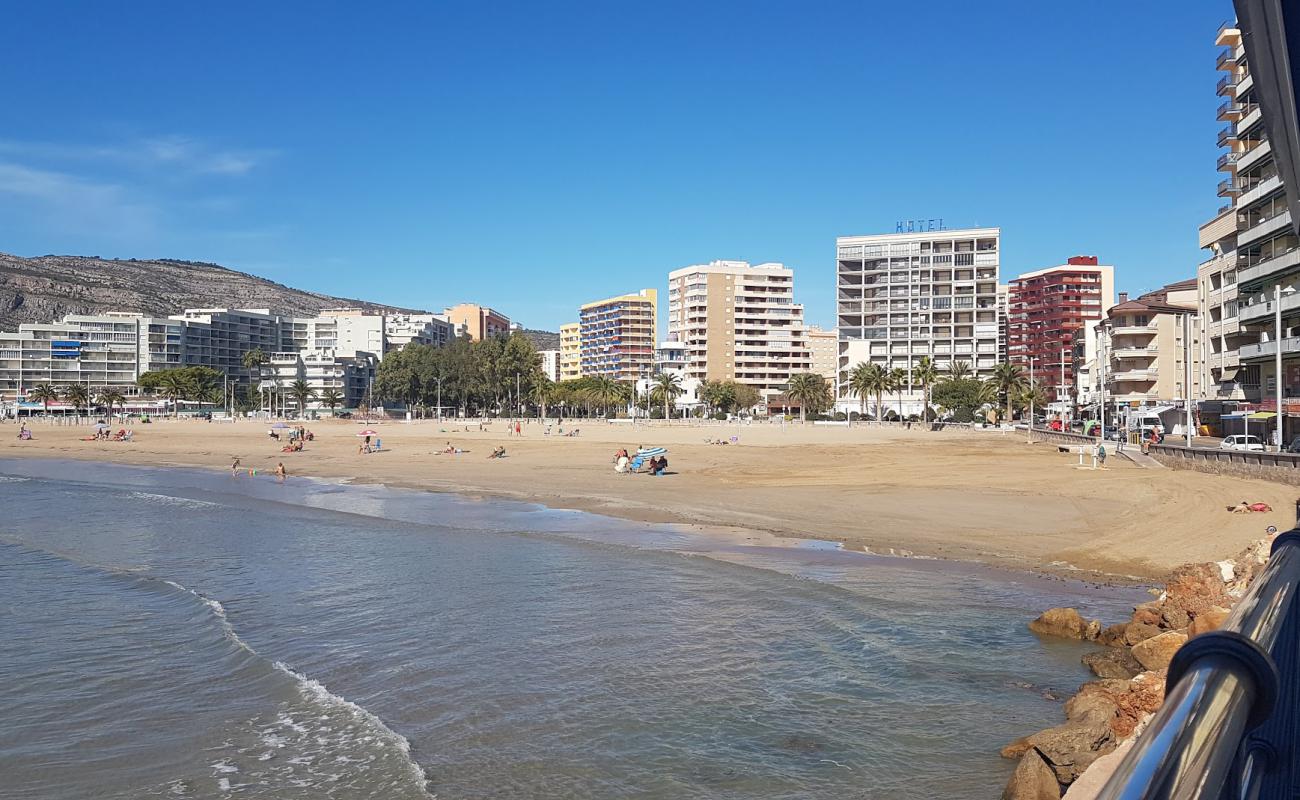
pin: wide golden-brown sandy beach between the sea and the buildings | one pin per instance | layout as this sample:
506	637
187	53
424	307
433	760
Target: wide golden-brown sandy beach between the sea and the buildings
987	498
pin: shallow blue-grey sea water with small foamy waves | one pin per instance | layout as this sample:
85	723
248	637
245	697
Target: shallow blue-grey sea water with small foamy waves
190	634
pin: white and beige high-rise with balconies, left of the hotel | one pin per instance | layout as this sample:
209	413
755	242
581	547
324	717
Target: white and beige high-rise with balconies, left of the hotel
739	323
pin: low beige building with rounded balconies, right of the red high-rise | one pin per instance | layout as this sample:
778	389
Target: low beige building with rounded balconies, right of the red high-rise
1151	349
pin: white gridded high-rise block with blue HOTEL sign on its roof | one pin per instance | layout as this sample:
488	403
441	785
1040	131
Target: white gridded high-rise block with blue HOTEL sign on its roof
907	296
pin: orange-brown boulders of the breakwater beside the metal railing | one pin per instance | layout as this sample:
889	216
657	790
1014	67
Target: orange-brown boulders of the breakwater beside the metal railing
1074	759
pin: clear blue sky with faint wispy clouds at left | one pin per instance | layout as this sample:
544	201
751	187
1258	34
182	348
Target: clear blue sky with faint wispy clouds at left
538	155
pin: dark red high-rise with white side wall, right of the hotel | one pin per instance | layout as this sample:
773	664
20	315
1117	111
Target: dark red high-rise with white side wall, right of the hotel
1047	309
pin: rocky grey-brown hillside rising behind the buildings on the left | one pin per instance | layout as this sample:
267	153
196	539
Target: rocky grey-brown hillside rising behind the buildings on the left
49	288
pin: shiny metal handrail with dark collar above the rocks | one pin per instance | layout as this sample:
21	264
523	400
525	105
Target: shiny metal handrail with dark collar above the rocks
1216	736
